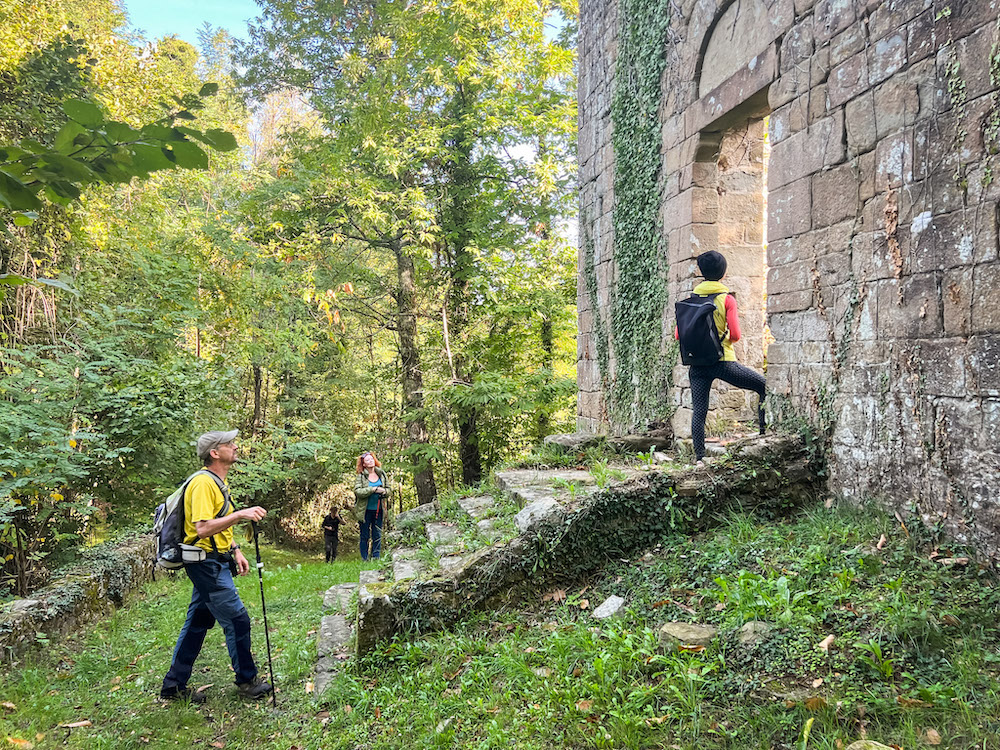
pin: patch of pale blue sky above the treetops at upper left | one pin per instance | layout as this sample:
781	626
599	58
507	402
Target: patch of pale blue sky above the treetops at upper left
183	17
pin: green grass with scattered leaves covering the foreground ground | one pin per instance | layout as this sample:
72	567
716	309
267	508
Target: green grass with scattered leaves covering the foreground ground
916	649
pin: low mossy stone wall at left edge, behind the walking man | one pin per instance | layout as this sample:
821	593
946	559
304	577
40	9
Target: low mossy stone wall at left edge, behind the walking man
95	588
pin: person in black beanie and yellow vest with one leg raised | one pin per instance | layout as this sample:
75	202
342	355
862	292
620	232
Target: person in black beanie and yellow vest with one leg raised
727	322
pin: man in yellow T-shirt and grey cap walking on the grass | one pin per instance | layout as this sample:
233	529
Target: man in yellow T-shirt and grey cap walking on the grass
209	517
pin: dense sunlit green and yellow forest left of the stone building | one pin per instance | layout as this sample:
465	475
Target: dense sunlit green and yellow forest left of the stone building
380	259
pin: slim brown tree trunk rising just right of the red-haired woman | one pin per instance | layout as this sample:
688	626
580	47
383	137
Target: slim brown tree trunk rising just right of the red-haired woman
413	379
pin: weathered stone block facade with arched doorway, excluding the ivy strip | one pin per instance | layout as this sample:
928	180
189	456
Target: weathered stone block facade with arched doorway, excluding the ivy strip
881	224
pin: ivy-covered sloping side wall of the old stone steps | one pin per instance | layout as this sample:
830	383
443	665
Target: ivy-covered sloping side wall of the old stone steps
622	521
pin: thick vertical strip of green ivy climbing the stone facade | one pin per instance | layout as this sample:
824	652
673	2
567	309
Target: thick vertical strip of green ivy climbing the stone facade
639	392
